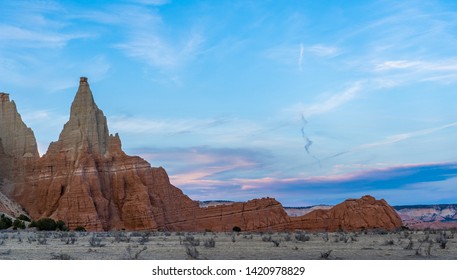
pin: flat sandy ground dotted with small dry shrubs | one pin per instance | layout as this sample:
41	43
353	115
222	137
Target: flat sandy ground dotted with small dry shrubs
404	245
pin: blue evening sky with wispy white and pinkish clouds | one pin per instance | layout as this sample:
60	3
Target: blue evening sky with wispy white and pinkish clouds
309	102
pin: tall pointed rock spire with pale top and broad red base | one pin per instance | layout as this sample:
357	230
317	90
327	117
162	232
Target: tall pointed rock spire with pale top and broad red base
85	179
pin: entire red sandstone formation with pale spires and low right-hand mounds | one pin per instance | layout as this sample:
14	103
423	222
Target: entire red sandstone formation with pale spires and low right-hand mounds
85	179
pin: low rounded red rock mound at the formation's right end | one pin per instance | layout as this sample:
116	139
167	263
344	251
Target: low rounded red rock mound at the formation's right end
350	215
